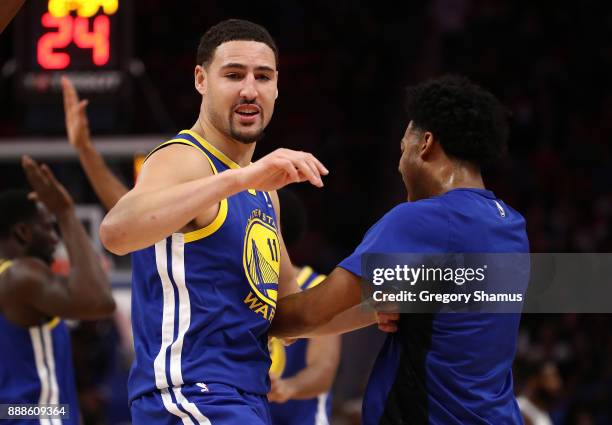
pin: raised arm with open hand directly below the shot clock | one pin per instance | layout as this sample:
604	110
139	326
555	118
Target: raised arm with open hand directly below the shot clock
107	186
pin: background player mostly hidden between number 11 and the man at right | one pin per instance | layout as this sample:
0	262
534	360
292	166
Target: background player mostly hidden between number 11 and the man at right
302	373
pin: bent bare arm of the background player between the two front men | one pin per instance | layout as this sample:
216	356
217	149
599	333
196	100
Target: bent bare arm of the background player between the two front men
322	358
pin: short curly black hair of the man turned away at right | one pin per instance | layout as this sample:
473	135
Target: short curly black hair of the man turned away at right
468	121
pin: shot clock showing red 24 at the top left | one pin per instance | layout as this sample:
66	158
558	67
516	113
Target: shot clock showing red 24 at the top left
87	40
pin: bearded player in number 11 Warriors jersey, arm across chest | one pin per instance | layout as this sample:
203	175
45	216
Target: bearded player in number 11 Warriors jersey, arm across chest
208	261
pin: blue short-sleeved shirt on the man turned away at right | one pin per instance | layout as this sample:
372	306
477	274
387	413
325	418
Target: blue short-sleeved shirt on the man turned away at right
446	369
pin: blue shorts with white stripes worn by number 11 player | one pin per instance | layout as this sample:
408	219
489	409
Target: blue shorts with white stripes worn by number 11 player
214	404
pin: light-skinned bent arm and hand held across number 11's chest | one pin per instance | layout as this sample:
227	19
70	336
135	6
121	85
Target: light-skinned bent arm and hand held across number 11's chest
172	191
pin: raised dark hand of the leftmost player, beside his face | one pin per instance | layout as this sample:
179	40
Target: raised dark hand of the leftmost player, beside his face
48	190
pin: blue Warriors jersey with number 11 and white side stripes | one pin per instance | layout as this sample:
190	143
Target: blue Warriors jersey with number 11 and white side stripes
202	301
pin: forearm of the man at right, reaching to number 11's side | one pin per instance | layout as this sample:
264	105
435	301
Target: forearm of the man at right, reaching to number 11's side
301	313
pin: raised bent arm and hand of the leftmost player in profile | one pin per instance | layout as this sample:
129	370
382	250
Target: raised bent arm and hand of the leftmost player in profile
87	293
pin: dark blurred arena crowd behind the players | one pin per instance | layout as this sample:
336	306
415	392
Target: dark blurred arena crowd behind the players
343	67
